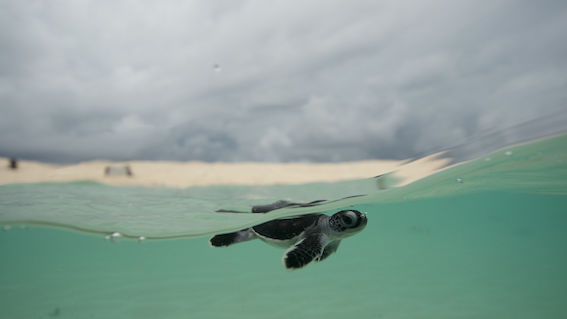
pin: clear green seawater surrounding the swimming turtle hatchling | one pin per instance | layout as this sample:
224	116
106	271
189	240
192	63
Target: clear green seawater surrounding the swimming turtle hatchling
485	239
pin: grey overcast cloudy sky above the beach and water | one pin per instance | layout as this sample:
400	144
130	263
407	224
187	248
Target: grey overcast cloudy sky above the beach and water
274	80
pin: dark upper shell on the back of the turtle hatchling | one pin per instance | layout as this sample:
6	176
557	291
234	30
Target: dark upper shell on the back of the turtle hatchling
288	228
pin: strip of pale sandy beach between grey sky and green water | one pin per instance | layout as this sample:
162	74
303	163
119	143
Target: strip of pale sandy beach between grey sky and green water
184	174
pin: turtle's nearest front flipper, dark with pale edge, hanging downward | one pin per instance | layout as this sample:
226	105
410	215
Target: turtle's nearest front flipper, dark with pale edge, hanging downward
304	252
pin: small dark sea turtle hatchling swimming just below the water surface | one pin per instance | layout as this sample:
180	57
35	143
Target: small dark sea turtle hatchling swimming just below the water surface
307	237
